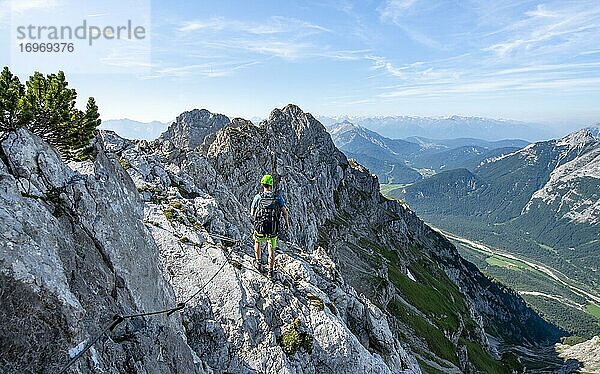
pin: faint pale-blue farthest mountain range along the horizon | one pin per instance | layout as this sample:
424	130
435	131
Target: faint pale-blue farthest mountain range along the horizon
452	127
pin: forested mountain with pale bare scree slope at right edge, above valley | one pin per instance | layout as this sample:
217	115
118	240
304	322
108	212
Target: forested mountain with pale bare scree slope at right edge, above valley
552	184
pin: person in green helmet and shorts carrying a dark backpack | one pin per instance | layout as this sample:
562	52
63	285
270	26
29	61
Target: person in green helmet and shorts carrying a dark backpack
267	207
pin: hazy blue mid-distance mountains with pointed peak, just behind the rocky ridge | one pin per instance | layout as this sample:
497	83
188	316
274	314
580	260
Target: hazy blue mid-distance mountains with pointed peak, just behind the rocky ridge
409	160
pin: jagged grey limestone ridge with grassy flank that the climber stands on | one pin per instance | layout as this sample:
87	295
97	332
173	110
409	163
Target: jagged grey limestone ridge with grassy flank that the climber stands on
362	285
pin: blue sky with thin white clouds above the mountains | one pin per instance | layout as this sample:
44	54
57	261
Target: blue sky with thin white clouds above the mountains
525	60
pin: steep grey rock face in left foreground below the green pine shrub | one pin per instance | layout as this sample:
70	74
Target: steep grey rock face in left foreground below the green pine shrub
73	252
